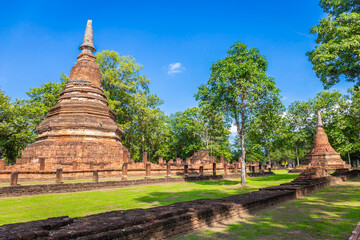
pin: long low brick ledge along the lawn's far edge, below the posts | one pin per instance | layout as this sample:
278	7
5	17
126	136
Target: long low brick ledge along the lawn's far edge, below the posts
22	190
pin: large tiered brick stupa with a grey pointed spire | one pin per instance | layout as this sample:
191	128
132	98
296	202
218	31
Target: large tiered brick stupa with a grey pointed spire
80	127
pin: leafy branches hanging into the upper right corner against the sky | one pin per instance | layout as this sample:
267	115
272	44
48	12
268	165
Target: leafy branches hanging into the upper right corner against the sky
338	42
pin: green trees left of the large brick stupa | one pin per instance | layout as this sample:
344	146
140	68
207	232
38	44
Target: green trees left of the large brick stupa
20	118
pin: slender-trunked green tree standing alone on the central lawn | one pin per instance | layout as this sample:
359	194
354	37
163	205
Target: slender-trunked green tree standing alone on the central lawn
236	88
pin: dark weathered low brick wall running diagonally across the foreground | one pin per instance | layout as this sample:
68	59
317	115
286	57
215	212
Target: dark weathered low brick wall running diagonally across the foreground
167	221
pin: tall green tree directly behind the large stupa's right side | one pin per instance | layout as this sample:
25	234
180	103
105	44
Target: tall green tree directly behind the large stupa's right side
136	110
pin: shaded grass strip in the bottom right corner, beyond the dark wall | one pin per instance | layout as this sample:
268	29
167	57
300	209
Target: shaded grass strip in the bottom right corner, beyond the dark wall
331	213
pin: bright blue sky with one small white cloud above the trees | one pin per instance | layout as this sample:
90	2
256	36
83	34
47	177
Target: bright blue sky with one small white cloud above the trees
175	41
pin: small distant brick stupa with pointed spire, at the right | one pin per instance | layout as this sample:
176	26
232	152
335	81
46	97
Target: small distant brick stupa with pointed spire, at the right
323	154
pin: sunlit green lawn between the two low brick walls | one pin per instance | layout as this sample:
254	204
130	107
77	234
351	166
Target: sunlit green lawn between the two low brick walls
78	204
